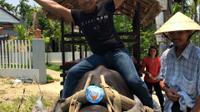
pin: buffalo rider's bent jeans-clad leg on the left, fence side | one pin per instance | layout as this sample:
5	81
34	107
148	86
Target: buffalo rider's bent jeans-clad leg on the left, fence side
76	72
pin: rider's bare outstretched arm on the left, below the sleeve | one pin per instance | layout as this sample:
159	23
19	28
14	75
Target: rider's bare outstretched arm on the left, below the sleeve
56	9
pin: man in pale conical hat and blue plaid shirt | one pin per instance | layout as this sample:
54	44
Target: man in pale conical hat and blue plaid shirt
180	65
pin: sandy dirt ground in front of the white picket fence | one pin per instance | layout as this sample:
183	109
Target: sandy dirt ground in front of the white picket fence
10	91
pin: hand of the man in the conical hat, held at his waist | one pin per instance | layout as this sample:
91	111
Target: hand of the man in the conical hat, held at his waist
172	94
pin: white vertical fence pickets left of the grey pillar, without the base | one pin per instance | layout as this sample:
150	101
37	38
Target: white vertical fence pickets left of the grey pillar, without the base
15	54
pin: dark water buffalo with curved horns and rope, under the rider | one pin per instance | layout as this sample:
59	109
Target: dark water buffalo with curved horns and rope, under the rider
118	97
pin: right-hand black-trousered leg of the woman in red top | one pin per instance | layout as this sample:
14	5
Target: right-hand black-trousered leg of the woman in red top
159	94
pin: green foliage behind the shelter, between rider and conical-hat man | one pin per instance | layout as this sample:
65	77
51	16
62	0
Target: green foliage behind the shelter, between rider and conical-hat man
124	24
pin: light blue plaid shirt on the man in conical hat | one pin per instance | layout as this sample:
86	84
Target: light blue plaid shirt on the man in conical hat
183	72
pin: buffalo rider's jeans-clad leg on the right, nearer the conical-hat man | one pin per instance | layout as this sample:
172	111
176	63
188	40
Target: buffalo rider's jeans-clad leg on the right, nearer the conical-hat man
122	62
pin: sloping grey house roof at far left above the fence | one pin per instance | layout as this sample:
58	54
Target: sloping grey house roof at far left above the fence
7	17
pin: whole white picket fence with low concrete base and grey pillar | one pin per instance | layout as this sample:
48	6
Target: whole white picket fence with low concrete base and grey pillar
23	59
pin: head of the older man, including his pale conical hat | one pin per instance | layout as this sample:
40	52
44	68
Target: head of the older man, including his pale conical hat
179	28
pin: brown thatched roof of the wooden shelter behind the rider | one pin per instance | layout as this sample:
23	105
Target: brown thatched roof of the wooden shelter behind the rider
149	9
